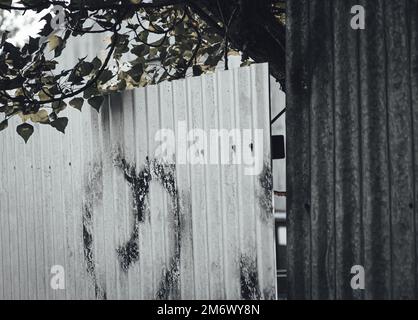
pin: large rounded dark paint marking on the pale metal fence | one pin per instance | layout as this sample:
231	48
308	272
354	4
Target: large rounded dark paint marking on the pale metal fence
128	253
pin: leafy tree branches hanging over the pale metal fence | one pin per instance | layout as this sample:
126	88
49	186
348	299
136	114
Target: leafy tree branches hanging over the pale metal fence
148	42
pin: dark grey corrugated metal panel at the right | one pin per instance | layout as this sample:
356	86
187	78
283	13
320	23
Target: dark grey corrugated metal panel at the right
352	152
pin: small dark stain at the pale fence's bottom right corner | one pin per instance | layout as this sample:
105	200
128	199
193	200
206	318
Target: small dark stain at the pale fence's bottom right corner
249	279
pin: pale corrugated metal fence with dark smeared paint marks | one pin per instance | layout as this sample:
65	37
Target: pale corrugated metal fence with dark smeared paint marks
125	224
